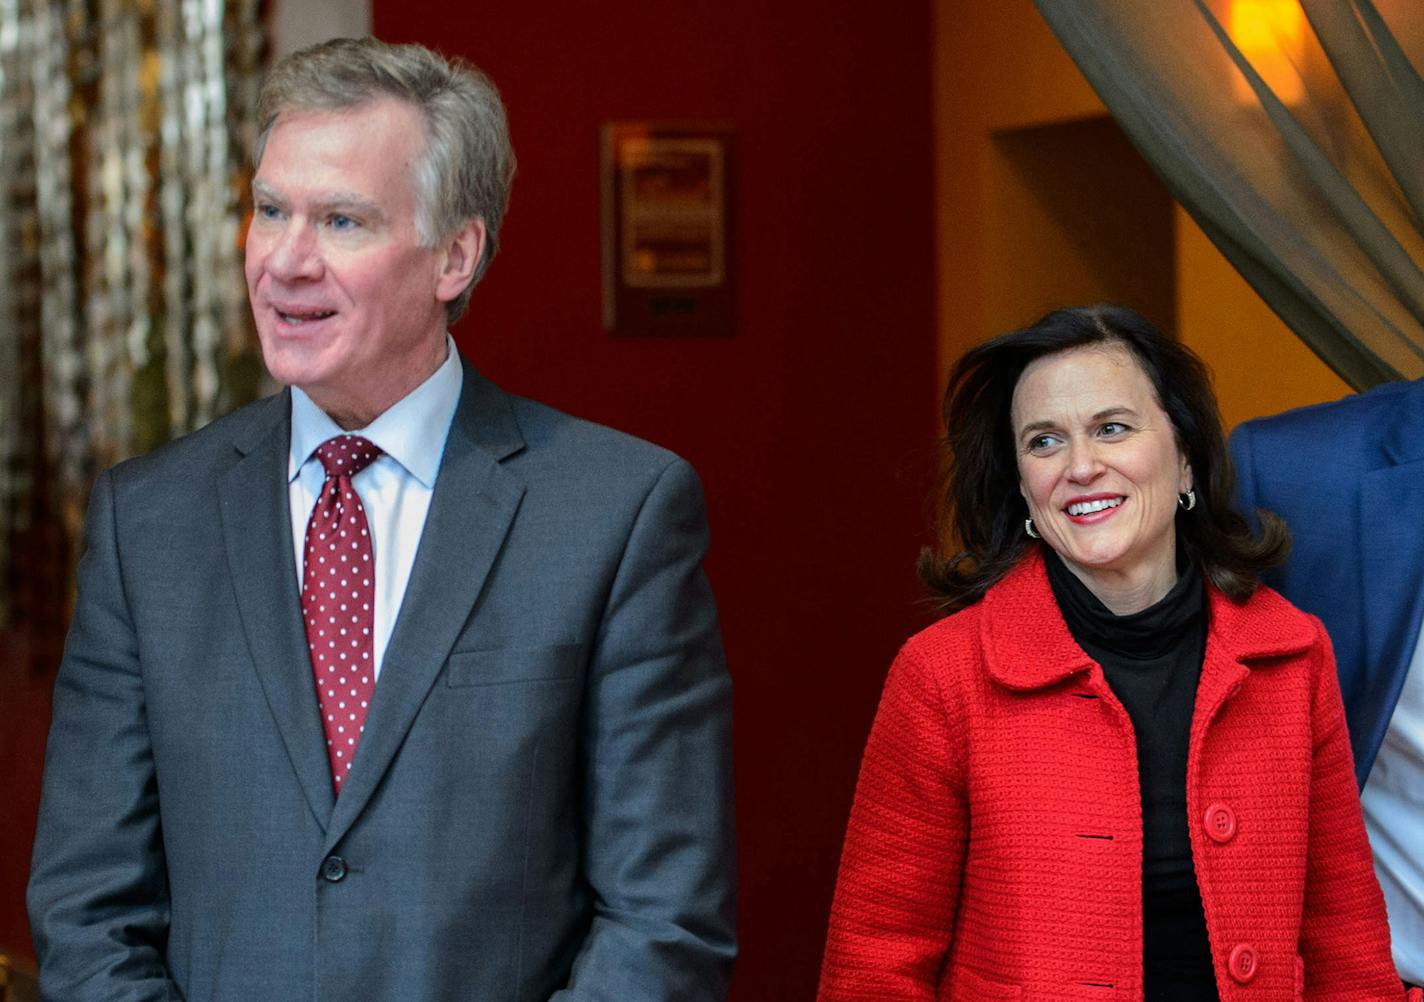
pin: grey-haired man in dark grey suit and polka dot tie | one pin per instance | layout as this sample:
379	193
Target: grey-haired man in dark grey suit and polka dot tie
394	687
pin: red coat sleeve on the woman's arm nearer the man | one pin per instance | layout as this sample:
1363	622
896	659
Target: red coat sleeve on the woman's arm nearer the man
901	869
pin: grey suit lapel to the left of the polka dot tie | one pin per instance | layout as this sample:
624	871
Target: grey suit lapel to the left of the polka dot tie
257	530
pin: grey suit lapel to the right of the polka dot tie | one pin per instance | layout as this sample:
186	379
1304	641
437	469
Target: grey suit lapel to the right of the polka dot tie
471	515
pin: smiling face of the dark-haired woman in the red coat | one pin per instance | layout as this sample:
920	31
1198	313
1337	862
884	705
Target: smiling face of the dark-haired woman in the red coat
1100	468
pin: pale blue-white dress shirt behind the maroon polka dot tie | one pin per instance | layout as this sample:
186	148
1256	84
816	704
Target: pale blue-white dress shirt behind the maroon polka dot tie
395	490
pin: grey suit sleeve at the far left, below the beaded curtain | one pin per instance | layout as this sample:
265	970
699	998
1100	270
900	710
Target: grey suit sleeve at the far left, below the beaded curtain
99	896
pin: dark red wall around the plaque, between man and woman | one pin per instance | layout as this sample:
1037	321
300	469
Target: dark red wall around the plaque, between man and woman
810	426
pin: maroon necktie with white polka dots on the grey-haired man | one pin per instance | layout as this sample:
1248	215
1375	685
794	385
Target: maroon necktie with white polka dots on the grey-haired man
338	596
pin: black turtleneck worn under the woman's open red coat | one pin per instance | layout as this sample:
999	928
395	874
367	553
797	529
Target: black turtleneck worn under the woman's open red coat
1153	661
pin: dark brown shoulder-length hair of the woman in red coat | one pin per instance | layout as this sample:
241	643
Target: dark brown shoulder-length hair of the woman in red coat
980	516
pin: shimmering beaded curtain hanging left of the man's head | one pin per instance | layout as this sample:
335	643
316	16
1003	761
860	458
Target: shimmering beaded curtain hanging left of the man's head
126	136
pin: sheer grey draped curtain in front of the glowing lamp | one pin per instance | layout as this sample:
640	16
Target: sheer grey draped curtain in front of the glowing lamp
1309	176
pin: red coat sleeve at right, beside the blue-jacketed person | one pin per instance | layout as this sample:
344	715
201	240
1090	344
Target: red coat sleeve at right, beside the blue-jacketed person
1345	940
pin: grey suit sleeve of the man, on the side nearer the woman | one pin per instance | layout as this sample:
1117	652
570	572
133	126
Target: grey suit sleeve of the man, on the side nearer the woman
660	849
